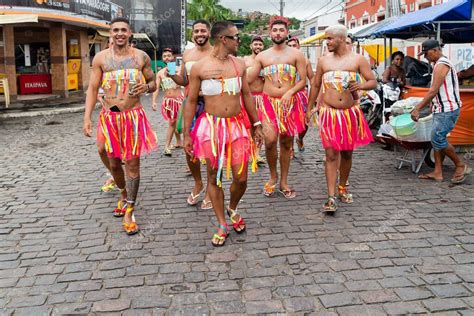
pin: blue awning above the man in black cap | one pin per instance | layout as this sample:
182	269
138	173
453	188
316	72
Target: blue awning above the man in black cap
456	10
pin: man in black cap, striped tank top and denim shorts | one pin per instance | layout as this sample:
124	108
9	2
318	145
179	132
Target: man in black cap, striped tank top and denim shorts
445	104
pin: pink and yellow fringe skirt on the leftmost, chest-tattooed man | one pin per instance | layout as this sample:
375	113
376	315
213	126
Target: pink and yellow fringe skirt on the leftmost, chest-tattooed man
126	135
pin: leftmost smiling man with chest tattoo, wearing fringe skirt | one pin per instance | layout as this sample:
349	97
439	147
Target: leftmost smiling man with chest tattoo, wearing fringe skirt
124	73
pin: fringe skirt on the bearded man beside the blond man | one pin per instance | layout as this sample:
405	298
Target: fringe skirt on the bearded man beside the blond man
288	121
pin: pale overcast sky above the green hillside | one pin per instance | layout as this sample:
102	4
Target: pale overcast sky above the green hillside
300	9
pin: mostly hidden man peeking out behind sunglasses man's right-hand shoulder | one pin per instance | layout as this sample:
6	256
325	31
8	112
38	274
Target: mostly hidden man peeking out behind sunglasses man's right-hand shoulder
257	46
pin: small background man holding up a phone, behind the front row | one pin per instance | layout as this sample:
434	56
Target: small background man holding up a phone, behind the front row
172	101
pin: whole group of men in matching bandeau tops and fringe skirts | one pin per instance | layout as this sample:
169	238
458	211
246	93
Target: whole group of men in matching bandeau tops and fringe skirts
230	107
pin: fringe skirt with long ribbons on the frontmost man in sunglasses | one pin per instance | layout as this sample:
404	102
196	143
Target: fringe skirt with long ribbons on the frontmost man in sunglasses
223	141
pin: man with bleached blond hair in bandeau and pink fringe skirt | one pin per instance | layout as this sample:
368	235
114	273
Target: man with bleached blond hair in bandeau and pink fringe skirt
342	125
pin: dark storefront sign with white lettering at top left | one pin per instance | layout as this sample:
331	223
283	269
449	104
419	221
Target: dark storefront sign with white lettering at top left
96	8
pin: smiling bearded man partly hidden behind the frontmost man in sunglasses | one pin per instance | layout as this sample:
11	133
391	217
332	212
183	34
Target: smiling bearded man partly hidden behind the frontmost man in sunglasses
203	48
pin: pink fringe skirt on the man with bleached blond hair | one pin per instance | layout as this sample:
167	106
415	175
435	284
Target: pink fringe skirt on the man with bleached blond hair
343	129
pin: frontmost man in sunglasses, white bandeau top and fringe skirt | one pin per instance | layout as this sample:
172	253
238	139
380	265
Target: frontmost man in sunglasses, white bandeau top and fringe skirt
220	134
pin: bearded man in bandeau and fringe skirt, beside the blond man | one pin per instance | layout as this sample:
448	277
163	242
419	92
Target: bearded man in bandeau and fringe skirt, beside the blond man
282	114
